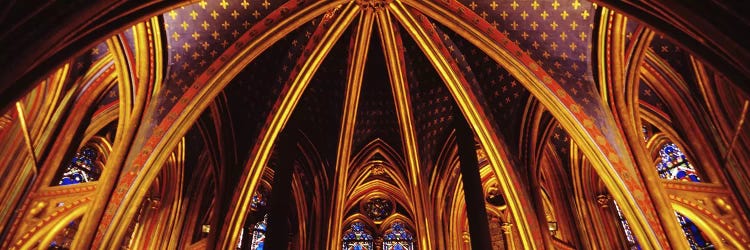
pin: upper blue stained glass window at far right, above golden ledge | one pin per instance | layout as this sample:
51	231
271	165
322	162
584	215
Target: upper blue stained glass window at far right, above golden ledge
674	165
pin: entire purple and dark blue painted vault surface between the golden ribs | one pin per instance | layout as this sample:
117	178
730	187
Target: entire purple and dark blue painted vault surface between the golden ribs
557	35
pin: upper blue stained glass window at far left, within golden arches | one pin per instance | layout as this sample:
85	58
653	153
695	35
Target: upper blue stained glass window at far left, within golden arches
82	168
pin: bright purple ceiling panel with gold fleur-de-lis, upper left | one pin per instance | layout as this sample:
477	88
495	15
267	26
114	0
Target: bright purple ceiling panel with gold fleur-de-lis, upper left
197	34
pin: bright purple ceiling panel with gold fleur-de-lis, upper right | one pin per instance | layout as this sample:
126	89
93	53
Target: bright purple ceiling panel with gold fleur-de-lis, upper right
557	35
